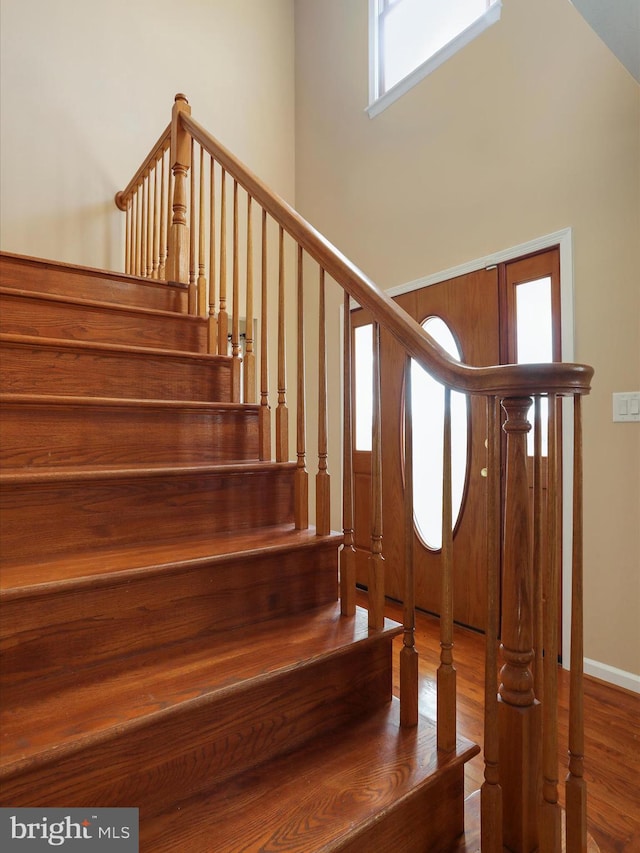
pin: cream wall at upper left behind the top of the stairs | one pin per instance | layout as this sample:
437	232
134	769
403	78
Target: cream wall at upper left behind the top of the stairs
87	87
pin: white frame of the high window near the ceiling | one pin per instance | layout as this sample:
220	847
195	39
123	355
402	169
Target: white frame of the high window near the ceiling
379	102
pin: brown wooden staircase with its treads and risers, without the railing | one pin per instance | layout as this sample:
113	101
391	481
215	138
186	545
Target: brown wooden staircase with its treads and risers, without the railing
170	641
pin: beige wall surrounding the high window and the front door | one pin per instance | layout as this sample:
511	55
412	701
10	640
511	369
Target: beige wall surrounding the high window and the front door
533	128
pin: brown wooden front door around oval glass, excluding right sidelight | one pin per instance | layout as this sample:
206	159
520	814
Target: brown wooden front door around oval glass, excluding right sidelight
469	306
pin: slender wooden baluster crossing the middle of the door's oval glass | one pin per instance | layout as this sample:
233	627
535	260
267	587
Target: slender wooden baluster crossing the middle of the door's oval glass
446	676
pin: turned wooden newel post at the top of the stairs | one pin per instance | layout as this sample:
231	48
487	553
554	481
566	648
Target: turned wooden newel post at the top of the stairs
178	253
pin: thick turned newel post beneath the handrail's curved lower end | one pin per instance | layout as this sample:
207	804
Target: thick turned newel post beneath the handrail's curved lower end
519	713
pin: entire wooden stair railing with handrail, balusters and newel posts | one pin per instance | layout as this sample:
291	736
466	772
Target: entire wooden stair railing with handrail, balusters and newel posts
181	226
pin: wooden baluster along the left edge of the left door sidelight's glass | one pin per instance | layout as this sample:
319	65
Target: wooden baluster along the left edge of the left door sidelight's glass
348	553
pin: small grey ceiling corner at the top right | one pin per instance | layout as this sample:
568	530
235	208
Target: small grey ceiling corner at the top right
617	22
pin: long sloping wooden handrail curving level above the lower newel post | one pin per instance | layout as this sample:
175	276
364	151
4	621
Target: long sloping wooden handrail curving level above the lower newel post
500	380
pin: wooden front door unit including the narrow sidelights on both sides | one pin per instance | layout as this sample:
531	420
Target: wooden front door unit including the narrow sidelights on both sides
481	311
